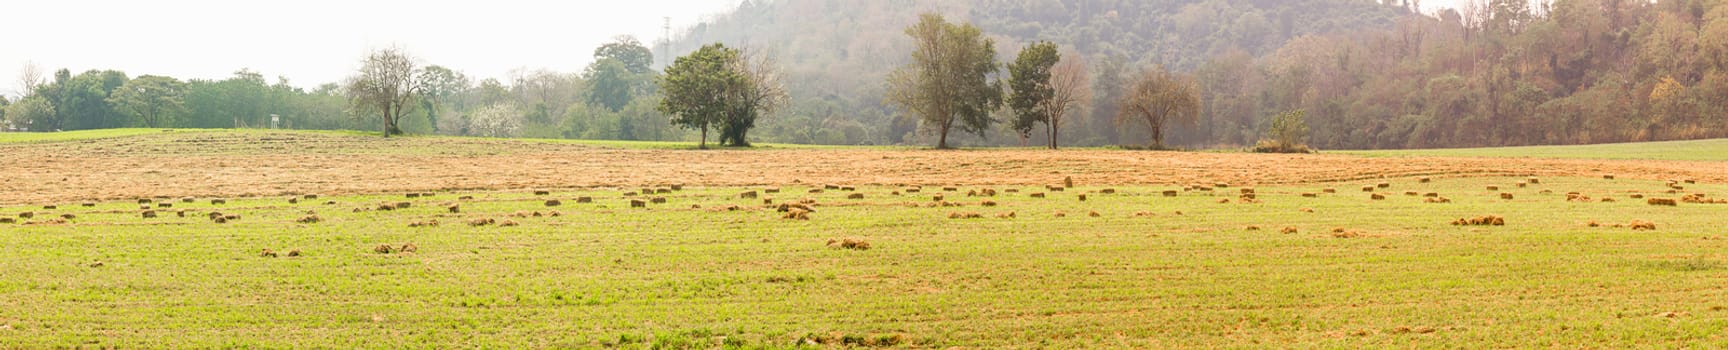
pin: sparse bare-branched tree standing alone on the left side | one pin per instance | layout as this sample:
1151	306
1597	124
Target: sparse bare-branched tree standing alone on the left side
384	87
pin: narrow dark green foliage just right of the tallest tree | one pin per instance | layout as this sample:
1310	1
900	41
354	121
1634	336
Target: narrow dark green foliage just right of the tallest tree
1029	82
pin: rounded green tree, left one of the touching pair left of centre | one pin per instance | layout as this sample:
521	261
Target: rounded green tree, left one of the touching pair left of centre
696	89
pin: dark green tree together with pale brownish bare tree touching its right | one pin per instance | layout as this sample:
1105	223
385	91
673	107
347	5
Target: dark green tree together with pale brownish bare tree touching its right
1045	87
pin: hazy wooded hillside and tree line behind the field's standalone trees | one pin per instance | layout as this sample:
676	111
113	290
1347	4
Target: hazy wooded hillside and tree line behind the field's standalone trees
1366	73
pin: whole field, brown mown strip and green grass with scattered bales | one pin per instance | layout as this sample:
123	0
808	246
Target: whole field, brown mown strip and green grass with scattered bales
1166	249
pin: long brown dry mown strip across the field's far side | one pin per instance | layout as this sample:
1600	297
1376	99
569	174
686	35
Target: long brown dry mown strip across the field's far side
227	165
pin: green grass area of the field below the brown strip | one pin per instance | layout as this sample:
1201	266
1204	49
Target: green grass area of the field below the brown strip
1147	272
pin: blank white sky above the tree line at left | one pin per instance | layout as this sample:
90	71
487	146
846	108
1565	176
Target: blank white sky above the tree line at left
315	42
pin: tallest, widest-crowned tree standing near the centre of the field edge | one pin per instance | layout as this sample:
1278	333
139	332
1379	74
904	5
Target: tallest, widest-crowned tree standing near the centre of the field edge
950	80
